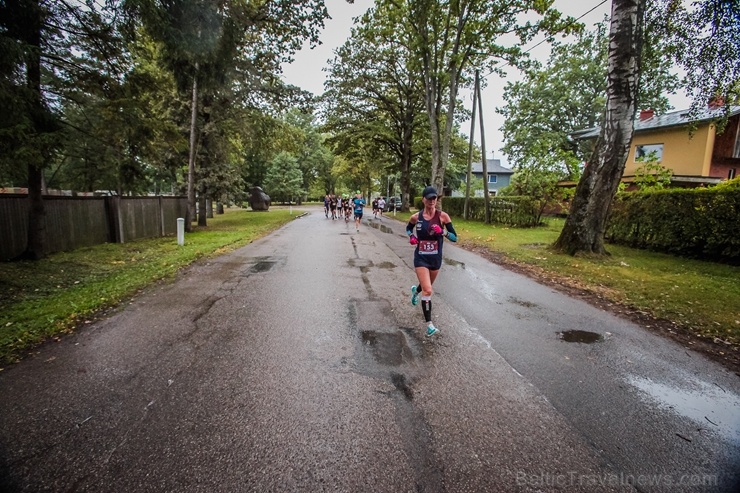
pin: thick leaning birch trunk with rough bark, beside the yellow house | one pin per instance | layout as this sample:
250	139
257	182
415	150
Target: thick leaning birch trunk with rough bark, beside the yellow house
586	224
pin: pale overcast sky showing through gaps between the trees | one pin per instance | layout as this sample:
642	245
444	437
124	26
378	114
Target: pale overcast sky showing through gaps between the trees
306	72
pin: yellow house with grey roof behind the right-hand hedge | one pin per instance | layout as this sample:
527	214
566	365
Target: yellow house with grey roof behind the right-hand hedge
701	157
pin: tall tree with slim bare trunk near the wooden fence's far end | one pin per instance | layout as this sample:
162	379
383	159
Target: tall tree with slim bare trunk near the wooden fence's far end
212	44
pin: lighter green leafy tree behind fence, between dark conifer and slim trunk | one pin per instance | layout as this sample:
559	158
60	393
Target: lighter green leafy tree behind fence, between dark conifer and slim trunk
121	135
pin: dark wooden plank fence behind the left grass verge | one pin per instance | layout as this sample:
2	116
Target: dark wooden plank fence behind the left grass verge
74	222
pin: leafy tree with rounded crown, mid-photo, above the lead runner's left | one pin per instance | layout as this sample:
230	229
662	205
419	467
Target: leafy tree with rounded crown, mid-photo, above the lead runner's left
374	94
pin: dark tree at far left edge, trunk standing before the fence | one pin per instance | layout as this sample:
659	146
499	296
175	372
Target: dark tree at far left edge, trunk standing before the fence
36	37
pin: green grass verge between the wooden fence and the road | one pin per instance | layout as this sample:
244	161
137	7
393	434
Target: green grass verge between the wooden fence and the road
40	300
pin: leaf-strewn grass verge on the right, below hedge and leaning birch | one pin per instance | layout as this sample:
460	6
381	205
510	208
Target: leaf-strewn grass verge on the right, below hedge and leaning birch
699	296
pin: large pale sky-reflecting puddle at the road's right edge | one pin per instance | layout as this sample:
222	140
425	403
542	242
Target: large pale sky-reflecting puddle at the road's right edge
710	406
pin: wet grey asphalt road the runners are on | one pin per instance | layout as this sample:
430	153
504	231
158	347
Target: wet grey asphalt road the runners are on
297	363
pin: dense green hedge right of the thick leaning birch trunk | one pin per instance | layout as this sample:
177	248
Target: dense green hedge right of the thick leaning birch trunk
700	222
